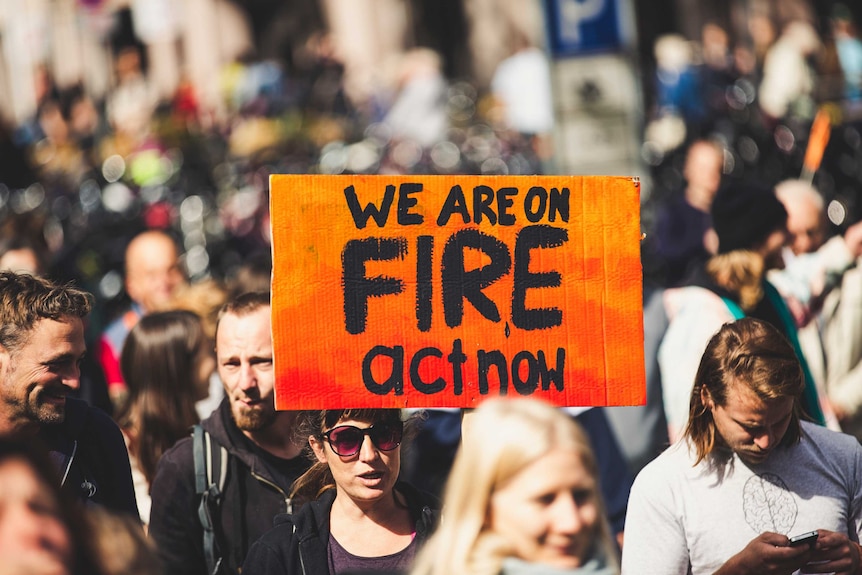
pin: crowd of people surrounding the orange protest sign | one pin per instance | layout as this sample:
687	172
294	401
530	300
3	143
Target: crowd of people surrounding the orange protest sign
138	430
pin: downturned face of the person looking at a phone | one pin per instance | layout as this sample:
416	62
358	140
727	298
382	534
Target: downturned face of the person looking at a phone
749	426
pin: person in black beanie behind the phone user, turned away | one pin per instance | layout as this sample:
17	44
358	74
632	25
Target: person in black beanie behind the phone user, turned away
751	224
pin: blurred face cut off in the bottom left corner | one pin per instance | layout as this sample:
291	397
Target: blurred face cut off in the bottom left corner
33	540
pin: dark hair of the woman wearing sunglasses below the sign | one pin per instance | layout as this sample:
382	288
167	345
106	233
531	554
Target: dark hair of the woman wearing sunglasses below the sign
311	484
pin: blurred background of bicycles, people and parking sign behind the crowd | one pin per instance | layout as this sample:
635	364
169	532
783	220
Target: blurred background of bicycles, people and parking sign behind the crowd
121	115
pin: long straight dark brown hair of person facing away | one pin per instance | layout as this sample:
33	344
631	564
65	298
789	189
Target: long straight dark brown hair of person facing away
160	363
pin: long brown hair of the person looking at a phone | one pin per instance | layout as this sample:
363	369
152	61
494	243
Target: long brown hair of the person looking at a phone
749	352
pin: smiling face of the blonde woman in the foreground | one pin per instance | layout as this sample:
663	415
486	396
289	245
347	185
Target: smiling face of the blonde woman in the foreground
549	511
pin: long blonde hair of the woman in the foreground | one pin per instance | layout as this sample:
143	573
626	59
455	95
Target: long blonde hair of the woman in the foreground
504	437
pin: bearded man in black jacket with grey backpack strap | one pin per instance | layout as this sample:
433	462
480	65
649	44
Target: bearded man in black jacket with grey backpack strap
263	458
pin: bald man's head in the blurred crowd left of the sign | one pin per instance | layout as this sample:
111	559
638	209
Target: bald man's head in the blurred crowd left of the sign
152	269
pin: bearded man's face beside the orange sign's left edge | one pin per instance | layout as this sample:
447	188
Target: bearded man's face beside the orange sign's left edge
244	358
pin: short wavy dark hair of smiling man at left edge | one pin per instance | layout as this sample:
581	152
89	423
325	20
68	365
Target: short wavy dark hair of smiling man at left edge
25	299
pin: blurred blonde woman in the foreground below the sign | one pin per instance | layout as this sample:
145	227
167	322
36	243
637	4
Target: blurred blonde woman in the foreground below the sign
522	498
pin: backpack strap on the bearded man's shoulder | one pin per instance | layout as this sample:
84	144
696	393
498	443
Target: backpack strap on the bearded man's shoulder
210	459
